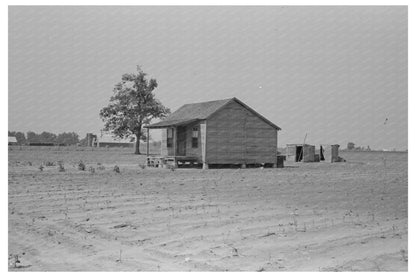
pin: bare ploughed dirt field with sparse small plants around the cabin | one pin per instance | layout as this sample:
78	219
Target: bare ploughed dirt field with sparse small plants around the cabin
305	217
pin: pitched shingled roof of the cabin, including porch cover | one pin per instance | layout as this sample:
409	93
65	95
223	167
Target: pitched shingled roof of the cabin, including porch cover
199	111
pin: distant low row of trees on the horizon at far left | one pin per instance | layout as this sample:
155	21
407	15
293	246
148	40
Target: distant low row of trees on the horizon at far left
66	138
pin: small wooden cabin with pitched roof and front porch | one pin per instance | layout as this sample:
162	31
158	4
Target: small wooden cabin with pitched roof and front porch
218	132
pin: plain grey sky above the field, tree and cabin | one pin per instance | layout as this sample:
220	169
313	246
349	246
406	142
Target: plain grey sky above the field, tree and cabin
335	73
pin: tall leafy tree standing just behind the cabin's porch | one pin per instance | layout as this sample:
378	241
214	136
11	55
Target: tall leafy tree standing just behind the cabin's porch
132	106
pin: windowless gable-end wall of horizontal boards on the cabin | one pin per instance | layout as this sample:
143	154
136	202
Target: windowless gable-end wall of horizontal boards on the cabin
236	135
